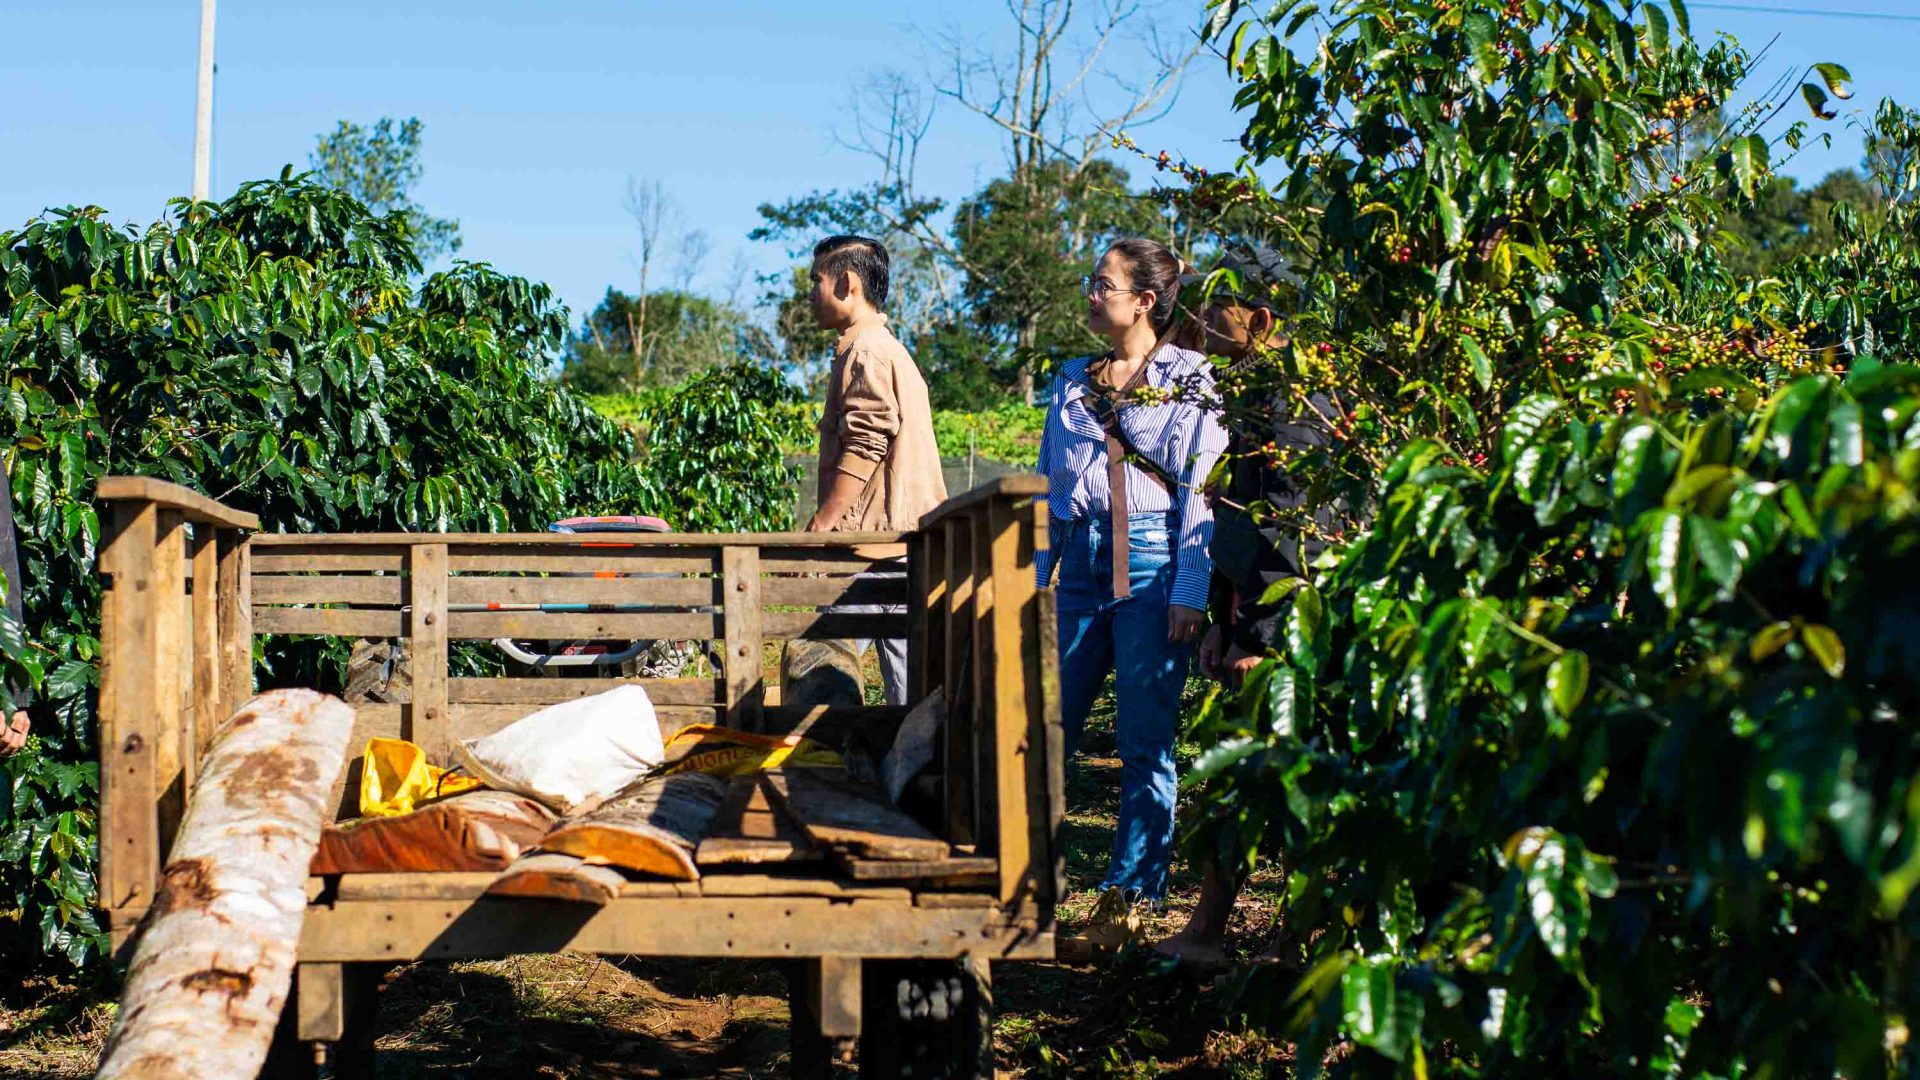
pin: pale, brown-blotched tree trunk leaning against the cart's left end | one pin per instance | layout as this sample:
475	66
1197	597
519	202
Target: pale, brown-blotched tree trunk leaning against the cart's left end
216	956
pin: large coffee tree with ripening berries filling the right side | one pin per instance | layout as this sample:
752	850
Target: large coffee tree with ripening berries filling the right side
1589	747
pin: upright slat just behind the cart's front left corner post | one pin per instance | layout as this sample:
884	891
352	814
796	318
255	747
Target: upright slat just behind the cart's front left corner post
174	731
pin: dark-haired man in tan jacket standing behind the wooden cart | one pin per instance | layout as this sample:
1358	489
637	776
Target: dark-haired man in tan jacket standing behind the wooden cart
880	468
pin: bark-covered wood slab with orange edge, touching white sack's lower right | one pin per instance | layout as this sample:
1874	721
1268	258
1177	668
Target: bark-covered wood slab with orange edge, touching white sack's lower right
652	827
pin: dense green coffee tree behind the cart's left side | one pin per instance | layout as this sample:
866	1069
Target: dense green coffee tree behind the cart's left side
272	353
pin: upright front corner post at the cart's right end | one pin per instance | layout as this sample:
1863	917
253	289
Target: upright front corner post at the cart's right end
1019	733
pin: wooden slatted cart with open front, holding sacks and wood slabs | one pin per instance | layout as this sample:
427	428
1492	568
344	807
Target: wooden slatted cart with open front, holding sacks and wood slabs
191	585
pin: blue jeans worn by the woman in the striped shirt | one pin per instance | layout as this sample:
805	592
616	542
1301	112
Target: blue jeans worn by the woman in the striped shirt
1130	639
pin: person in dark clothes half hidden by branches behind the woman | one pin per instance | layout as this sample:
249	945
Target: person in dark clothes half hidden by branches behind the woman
1257	535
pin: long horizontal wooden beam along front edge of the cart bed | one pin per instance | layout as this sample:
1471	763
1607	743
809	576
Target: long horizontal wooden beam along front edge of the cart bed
663	927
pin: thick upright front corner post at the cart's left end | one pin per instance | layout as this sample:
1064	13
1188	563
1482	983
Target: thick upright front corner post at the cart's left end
130	829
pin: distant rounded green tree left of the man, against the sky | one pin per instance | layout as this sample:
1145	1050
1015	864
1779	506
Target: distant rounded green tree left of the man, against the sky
686	335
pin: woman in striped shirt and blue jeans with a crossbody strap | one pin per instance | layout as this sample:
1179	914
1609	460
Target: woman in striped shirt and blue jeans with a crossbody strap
1128	447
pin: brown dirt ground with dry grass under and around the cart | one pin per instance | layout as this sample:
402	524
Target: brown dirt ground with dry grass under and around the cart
590	1018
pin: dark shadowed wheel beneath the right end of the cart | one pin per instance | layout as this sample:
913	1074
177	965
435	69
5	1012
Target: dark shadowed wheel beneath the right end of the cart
926	1019
